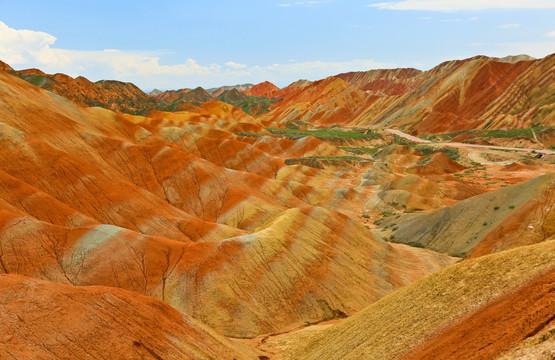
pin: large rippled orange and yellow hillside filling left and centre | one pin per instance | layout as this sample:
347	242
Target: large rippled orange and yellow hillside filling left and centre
181	207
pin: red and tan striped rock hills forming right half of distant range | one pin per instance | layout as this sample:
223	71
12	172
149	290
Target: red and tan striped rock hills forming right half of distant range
474	93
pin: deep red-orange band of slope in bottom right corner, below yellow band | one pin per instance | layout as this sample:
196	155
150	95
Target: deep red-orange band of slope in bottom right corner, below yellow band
496	326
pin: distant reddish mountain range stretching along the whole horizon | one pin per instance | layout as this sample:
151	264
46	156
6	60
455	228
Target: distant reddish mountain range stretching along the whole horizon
509	92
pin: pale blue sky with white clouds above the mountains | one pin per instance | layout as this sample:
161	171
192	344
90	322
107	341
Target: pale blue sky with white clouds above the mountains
175	44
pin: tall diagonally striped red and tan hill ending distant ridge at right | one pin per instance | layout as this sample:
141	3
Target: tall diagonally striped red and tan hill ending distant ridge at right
475	93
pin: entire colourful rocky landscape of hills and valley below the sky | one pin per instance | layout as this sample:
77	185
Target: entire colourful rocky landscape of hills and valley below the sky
160	235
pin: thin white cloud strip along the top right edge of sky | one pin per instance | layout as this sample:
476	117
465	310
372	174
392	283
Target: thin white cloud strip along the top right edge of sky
459	5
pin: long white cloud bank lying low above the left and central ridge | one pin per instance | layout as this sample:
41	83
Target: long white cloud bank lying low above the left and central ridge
25	48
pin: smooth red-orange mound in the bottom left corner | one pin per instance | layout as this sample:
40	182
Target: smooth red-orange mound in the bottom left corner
44	320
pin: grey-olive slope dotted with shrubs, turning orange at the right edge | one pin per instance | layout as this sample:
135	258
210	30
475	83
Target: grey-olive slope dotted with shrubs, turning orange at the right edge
520	214
